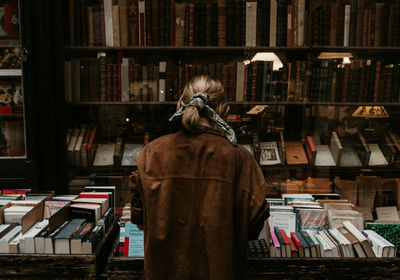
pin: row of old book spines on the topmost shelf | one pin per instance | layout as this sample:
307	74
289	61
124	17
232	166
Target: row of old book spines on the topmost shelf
220	23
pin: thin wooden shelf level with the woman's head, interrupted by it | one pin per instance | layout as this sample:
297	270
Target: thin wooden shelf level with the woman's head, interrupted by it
239	103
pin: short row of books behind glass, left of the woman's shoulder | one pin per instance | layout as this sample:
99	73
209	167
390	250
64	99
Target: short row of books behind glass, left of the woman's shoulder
82	151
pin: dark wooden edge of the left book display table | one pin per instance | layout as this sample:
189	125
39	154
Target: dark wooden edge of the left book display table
41	266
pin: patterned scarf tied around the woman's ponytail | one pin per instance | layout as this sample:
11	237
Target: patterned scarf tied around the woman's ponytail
199	100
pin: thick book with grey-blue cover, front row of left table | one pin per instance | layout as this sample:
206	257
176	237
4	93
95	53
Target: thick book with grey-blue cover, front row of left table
62	239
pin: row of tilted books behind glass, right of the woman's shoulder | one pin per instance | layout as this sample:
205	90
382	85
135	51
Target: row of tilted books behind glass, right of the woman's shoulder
344	151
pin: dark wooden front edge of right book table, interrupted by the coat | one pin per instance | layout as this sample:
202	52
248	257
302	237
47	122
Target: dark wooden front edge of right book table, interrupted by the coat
285	268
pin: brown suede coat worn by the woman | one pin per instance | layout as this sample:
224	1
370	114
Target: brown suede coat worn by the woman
199	199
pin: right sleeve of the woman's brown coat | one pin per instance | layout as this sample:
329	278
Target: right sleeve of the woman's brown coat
250	180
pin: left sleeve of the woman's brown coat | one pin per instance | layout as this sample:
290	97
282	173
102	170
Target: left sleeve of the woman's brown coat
136	200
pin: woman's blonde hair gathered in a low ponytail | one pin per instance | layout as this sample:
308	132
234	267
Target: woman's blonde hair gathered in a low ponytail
217	100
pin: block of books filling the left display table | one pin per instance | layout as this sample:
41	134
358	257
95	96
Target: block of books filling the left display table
81	222
